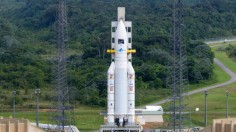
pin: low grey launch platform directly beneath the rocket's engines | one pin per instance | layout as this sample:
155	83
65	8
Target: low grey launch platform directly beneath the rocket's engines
126	128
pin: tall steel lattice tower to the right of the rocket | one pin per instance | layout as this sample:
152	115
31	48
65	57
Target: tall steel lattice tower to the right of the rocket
178	81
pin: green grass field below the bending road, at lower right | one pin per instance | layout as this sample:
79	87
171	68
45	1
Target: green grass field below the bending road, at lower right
216	101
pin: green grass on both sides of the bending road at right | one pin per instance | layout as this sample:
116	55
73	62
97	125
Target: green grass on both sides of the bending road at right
216	99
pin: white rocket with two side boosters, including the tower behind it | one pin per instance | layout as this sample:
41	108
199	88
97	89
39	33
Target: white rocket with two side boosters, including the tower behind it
121	74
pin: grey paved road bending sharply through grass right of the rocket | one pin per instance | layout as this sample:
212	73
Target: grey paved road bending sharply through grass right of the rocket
223	67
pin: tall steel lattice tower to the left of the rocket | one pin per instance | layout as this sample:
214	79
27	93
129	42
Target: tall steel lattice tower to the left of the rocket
62	108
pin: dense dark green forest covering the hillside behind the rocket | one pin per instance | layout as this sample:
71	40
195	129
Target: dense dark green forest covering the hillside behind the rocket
27	42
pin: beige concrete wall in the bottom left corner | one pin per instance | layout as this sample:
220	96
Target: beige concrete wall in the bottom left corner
17	125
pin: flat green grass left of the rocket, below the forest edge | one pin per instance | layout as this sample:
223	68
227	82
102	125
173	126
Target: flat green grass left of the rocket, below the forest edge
86	118
